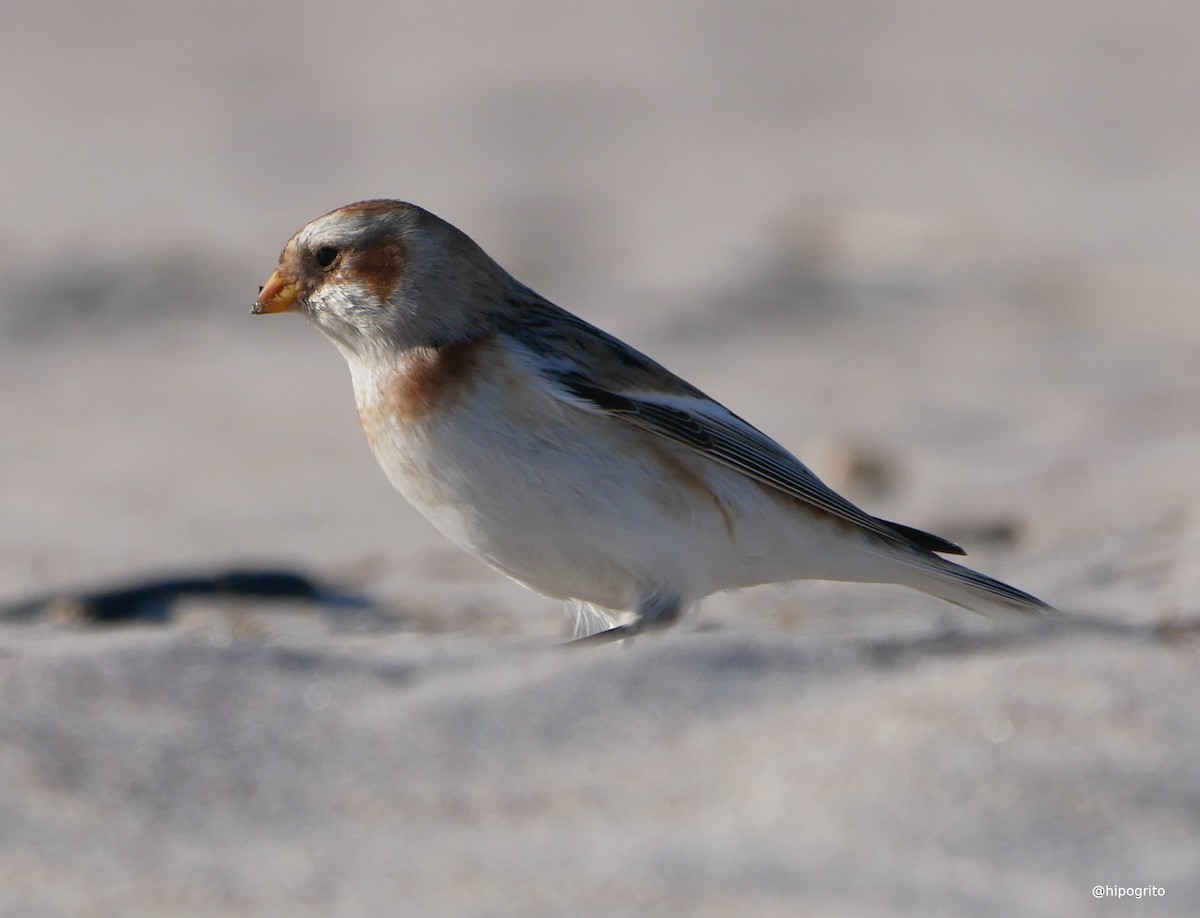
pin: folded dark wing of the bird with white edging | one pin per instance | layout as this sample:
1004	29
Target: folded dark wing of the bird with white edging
598	373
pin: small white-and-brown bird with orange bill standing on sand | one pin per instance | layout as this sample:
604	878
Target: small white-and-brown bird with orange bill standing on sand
566	459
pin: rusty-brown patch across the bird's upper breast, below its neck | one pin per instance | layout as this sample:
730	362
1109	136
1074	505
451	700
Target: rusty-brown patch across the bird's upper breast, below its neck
433	380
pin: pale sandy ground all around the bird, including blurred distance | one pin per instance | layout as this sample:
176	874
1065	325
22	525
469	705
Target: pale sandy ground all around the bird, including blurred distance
944	251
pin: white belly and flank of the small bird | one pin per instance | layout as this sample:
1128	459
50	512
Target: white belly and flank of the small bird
581	506
